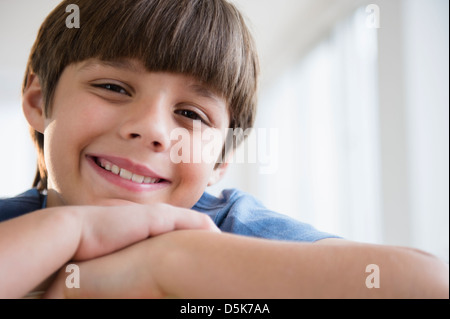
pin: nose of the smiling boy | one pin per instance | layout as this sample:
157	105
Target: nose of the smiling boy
147	123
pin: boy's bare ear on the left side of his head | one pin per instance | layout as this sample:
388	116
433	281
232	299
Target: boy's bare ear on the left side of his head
32	103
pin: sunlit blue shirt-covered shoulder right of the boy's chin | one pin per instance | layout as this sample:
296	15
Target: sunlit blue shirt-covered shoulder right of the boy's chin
238	212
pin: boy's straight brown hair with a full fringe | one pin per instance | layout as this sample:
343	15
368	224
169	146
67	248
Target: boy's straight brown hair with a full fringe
207	39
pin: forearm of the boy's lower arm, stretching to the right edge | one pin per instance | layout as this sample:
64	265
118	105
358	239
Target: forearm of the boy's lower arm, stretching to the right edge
205	265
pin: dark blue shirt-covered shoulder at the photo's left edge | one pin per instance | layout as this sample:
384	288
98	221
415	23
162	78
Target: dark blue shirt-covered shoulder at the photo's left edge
21	204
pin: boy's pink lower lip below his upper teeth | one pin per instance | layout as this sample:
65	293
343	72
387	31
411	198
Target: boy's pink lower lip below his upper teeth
123	183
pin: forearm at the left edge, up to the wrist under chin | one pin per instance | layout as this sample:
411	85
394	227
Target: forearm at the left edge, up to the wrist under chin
34	246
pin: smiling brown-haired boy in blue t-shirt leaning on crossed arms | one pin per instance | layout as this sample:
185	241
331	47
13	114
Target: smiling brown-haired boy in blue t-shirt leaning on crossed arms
103	102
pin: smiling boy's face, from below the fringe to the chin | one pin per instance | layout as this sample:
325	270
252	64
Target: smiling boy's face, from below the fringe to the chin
116	133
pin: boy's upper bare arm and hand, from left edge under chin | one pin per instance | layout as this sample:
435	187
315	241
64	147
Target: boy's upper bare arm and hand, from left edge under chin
34	246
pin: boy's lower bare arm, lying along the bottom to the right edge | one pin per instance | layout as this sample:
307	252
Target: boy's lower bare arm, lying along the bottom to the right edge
196	264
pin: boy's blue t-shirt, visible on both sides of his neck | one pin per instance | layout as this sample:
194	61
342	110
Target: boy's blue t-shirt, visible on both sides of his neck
233	211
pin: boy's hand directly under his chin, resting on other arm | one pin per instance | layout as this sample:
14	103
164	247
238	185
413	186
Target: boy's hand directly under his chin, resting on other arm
107	229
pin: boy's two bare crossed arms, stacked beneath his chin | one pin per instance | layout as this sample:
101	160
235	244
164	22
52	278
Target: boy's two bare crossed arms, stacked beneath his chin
196	261
